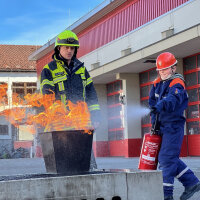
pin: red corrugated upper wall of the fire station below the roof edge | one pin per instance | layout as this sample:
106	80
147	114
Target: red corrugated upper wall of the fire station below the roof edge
125	18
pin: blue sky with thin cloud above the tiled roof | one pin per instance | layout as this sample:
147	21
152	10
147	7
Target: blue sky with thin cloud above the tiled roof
34	22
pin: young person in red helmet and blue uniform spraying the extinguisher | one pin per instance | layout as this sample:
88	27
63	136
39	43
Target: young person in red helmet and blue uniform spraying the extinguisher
168	99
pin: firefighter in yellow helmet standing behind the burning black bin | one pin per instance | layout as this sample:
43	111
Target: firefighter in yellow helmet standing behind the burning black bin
68	78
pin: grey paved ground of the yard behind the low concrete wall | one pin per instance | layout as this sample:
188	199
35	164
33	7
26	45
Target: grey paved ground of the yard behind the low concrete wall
36	165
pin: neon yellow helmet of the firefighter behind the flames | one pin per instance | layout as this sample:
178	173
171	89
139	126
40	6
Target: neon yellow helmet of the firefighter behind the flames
67	38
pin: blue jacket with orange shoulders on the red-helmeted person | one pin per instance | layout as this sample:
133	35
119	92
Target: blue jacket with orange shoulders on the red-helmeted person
170	99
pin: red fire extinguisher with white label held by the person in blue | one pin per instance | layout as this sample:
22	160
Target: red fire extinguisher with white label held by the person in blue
150	149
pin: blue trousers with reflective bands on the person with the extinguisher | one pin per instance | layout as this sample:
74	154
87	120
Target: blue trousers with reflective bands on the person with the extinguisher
168	158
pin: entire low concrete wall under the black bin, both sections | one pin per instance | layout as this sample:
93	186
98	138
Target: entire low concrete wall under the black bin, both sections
103	186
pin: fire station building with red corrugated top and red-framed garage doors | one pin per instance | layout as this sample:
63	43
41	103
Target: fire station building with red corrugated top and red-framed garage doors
119	42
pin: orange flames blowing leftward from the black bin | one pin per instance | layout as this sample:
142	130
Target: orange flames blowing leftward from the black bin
44	111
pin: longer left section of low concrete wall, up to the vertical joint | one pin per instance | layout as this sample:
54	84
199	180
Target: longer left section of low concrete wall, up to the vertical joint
81	187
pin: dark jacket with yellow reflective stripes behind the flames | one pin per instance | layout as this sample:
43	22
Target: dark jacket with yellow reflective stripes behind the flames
70	83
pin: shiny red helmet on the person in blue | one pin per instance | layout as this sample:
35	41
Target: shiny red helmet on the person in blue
165	60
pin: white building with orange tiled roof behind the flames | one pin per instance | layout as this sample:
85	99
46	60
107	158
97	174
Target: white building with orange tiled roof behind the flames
18	76
